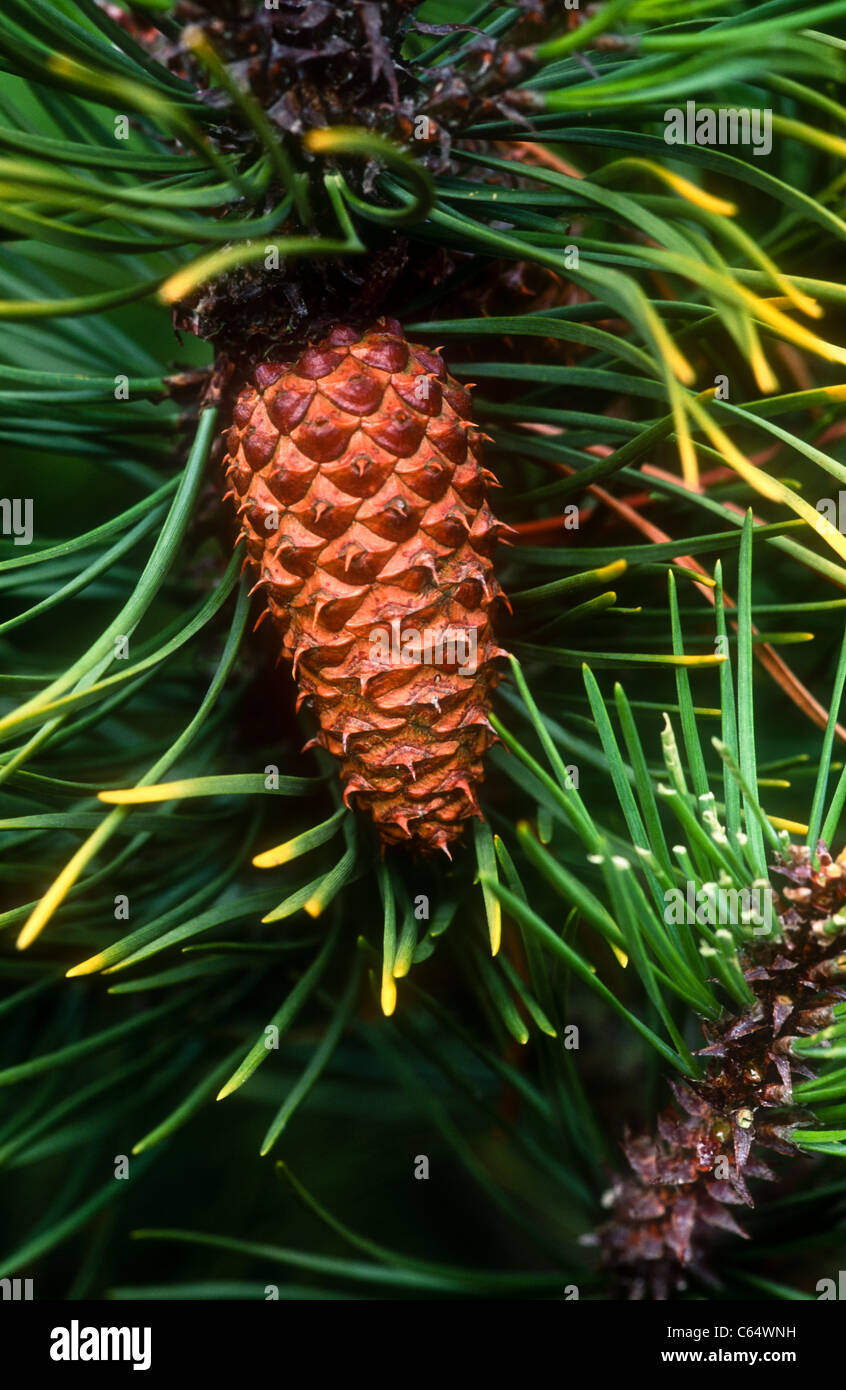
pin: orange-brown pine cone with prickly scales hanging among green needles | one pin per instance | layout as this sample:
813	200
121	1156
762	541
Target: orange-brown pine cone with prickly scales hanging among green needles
356	473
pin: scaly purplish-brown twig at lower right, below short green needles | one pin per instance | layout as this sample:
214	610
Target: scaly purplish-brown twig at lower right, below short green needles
687	1178
